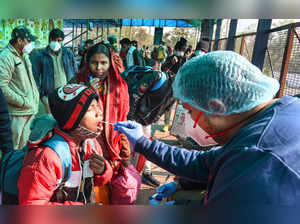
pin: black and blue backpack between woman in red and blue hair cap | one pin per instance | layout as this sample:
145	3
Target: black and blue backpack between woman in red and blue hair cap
150	93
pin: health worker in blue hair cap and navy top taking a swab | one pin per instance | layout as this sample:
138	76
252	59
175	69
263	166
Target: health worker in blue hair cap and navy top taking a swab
231	103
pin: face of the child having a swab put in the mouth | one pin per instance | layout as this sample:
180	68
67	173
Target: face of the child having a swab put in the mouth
93	118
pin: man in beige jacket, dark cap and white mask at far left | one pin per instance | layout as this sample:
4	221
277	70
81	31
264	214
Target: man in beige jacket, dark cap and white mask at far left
18	84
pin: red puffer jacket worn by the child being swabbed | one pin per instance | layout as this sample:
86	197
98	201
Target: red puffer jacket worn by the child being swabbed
42	172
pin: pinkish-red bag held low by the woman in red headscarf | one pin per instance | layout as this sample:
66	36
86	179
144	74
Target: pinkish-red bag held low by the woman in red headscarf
126	186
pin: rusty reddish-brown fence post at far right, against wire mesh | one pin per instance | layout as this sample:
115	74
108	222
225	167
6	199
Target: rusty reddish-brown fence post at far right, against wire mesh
286	59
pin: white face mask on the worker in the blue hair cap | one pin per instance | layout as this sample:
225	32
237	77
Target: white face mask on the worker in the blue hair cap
197	133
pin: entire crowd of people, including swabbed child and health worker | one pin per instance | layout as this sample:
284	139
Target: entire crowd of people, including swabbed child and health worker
86	157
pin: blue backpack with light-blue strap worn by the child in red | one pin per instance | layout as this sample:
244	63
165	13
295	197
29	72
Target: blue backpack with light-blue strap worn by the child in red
12	161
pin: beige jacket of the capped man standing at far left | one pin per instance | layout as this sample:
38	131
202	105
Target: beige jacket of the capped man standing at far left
17	82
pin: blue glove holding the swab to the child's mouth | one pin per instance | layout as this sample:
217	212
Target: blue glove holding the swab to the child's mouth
132	129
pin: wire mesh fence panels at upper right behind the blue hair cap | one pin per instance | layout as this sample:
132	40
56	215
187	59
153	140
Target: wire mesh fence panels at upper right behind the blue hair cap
282	60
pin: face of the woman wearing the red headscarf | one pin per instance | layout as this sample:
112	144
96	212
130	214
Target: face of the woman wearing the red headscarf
99	65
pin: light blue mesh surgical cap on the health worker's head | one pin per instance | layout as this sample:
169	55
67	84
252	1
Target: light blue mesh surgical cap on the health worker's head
223	82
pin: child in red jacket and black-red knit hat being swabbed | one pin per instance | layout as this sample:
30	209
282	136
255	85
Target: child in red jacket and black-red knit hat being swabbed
79	120
